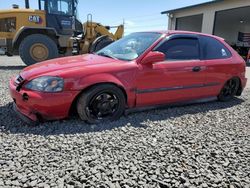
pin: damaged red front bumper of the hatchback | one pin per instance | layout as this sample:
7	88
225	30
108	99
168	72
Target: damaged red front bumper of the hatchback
34	106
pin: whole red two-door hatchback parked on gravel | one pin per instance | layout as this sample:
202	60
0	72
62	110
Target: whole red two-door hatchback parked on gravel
142	69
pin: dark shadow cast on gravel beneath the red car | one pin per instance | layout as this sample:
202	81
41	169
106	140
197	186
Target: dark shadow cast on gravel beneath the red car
9	122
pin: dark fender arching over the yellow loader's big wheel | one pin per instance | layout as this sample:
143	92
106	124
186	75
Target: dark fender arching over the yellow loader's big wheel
26	31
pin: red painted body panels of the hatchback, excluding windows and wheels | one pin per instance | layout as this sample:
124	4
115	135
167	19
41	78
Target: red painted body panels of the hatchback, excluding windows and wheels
144	84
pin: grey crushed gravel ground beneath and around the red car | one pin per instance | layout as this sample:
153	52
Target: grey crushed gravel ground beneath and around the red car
200	145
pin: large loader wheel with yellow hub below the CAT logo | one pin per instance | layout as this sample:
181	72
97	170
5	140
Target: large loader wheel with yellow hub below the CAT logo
36	48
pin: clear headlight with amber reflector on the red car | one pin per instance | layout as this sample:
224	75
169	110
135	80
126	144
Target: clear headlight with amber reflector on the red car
46	84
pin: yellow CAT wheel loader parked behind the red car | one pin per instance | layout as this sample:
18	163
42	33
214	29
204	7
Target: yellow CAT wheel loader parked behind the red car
38	35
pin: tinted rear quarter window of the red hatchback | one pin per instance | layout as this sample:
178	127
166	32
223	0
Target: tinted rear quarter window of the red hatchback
214	49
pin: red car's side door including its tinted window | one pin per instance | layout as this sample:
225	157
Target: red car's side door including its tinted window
180	77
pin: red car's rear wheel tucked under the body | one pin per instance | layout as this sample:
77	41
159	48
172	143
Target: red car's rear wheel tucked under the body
229	90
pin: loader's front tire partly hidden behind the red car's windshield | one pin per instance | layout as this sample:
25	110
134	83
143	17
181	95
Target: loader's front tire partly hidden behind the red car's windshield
100	43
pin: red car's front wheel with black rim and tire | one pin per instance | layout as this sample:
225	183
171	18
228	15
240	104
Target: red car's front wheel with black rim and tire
93	107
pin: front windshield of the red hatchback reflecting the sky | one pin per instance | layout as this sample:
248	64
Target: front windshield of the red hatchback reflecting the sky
129	47
